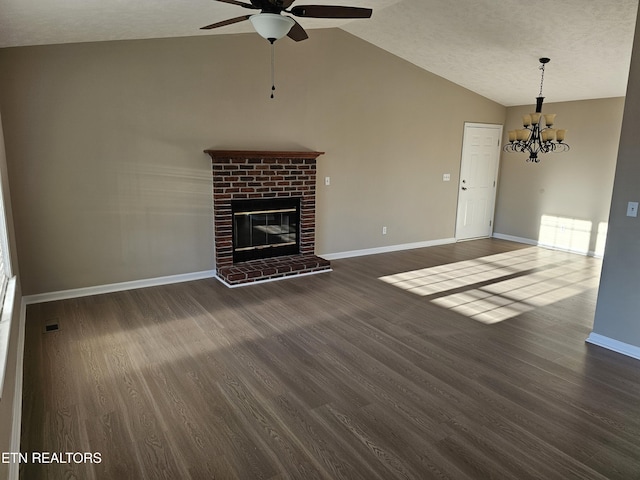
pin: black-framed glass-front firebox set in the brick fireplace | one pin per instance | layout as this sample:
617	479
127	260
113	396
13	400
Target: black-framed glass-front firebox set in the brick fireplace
265	228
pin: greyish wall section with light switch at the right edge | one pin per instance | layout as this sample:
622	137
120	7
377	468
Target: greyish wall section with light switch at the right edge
618	300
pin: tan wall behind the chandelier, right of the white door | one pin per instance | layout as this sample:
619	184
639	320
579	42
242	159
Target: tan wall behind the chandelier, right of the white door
573	187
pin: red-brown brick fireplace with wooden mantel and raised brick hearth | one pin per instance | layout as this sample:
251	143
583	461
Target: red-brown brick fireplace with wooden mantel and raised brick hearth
240	176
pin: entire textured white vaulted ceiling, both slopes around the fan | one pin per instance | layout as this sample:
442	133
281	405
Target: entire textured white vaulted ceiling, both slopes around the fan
489	47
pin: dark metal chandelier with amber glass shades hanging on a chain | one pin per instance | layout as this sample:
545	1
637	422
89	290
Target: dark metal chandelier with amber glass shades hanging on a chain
537	136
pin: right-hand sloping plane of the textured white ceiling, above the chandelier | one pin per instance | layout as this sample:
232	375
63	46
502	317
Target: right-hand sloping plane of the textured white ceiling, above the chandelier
492	48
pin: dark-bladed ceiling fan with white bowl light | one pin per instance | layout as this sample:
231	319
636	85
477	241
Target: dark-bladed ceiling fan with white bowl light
272	25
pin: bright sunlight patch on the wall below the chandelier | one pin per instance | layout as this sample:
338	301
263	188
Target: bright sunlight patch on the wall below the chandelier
571	234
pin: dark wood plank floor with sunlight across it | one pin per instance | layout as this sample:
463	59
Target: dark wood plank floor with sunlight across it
339	376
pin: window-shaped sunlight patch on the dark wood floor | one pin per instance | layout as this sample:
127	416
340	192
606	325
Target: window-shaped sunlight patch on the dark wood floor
502	286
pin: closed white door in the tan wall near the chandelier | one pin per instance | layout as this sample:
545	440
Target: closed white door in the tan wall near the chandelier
478	177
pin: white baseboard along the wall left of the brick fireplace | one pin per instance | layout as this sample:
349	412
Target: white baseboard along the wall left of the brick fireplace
117	287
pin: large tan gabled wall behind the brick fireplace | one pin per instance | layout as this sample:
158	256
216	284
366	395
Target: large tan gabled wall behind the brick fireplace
105	140
